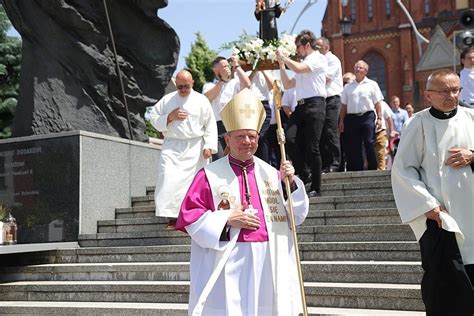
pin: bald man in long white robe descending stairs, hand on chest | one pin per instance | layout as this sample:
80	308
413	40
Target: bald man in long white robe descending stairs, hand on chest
186	119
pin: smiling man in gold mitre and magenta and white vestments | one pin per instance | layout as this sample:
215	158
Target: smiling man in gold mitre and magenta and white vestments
242	256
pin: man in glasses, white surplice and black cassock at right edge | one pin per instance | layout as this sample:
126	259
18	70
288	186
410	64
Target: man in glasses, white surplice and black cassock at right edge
433	185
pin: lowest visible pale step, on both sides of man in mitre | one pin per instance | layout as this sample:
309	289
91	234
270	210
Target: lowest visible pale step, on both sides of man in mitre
153	309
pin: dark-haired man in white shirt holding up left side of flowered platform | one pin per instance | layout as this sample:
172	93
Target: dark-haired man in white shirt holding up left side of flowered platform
222	90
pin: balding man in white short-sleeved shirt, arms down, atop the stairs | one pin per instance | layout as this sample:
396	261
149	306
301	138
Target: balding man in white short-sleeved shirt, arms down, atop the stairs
360	109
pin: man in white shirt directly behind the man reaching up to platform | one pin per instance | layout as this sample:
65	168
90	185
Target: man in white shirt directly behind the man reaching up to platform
330	149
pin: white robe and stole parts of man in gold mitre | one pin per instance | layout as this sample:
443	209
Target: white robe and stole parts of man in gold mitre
244	278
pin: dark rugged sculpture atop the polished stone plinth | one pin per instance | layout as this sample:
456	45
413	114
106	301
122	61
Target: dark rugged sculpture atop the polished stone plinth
68	76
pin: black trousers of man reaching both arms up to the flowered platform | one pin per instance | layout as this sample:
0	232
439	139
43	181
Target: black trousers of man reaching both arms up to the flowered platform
305	127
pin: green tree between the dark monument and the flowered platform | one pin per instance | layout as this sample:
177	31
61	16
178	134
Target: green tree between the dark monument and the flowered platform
199	62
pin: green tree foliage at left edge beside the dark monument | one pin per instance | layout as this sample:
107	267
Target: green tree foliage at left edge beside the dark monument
10	60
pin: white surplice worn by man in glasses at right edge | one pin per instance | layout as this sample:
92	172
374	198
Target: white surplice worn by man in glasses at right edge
421	181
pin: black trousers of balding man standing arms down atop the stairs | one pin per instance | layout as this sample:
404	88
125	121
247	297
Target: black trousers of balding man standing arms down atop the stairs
360	130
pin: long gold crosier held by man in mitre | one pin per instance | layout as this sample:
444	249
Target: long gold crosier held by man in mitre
281	142
